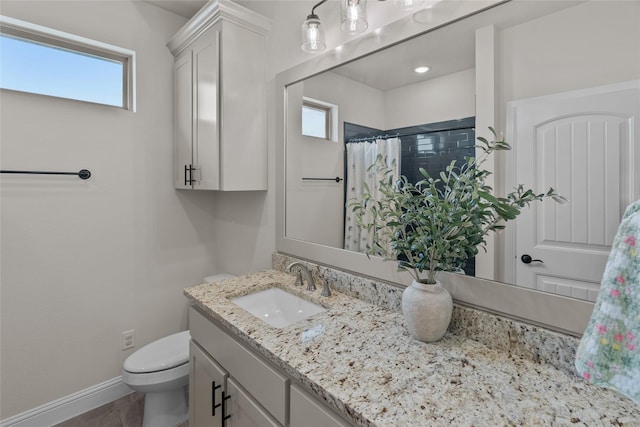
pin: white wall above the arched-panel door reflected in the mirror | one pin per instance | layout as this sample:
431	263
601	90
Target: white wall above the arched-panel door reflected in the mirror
592	44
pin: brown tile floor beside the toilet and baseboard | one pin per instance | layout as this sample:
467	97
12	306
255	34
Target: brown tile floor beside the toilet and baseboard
124	412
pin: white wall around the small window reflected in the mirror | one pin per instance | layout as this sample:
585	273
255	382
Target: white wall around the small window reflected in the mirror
321	203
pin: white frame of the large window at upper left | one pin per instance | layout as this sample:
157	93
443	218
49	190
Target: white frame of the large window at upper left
39	34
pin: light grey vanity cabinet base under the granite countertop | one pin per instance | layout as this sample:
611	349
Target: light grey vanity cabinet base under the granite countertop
252	392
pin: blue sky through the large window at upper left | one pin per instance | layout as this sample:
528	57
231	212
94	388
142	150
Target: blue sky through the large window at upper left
48	70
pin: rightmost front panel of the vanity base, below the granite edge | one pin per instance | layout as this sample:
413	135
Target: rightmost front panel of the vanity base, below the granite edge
306	411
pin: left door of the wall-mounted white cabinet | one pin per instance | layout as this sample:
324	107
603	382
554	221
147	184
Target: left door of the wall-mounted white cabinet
183	105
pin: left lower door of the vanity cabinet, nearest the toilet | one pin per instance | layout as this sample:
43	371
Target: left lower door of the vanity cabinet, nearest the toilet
206	389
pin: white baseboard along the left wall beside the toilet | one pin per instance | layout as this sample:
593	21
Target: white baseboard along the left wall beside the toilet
70	406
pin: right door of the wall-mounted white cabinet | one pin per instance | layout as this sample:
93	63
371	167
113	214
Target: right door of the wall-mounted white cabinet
206	141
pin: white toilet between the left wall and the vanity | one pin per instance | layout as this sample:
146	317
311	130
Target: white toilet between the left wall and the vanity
161	371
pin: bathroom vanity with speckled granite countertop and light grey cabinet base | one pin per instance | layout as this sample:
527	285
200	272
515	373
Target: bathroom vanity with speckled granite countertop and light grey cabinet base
355	364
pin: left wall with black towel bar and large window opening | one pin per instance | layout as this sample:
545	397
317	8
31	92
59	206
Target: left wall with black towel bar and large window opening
83	261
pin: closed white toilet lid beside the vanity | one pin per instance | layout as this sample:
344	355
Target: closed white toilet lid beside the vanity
160	355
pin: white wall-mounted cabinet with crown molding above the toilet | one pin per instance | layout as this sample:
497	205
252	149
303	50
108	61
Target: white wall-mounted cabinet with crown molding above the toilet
220	140
